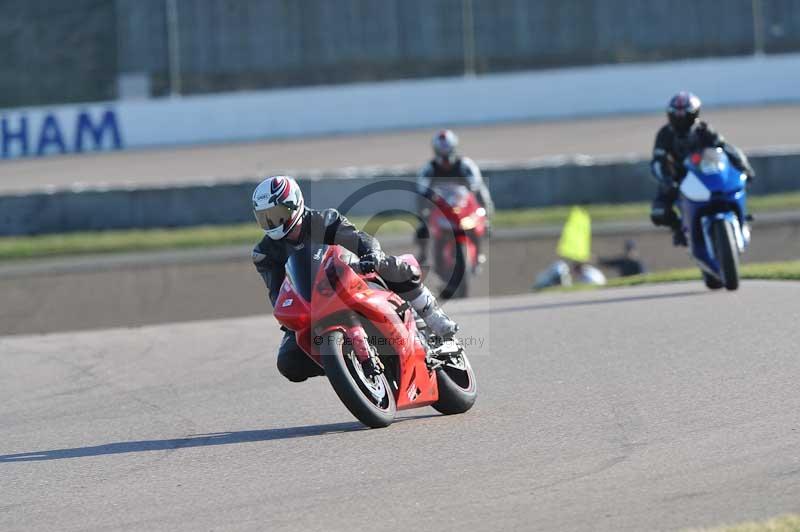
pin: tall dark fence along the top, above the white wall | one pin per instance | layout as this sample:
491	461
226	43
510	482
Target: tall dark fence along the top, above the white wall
57	51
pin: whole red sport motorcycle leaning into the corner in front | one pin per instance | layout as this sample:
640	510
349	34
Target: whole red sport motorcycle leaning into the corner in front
376	352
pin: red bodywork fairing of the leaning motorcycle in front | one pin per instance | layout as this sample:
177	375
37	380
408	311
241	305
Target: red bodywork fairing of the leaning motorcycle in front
342	300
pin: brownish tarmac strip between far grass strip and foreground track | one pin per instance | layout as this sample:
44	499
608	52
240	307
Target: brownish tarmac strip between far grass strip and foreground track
51	295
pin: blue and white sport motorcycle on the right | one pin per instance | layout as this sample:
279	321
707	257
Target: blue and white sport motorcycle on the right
714	216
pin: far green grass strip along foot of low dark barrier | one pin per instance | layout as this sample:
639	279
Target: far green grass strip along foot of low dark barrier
12	248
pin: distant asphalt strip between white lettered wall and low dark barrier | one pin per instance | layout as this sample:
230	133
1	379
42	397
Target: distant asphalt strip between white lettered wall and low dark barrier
749	127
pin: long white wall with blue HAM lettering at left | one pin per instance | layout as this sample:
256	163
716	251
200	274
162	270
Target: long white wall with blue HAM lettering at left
549	94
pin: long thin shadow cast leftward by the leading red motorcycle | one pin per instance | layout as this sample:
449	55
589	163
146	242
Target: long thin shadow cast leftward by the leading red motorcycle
197	440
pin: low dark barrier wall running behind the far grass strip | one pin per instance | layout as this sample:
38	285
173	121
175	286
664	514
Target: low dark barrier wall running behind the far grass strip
560	181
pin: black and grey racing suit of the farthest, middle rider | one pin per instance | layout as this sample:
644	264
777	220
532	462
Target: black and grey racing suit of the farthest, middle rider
463	171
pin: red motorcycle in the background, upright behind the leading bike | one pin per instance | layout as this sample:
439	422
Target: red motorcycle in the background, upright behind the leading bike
457	224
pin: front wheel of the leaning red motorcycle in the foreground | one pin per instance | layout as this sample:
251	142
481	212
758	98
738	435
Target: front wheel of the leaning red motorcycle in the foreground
369	399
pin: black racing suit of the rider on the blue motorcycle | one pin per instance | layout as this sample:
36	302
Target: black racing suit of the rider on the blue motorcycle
669	152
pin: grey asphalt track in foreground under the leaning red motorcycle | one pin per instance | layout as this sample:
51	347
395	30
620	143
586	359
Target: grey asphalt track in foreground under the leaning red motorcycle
650	408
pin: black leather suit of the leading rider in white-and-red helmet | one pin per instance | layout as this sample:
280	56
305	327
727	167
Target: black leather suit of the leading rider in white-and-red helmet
324	227
